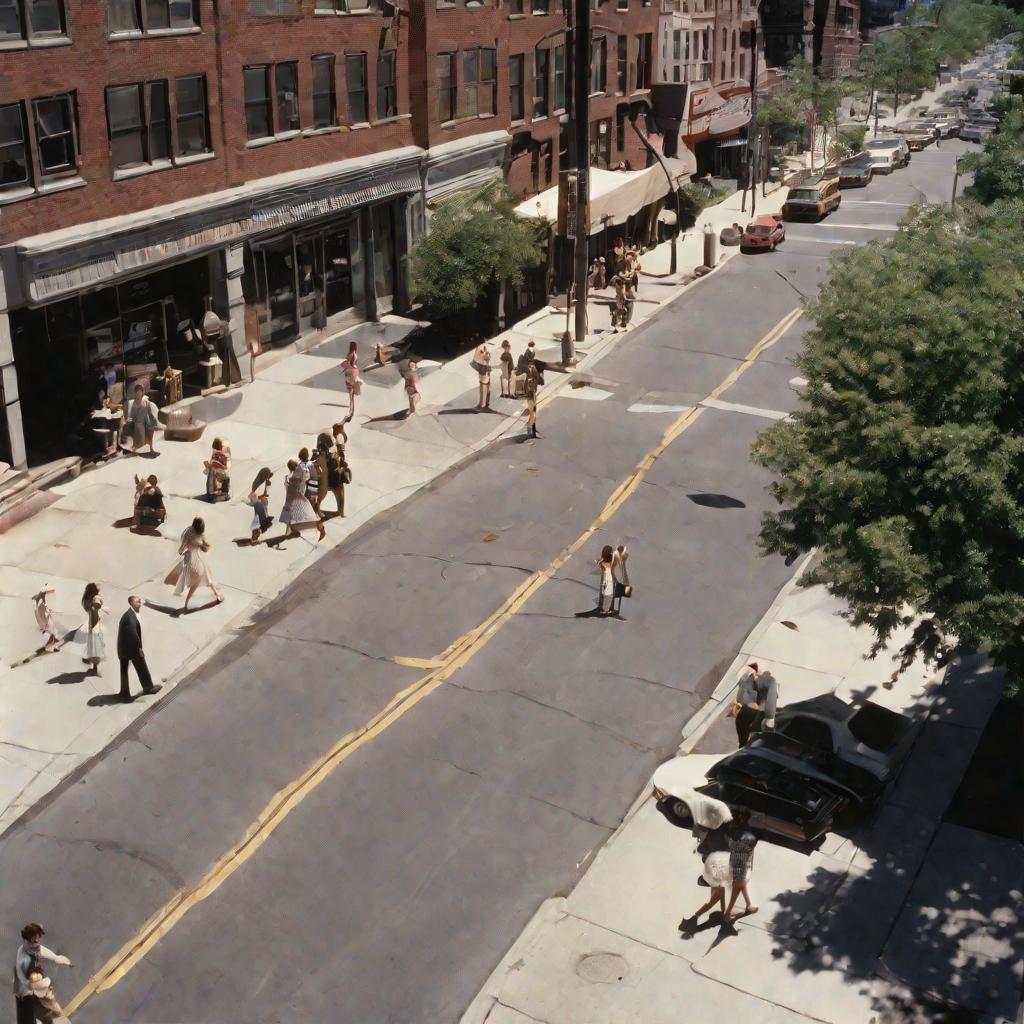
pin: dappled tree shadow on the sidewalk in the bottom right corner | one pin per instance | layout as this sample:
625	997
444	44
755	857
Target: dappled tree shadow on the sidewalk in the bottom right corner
922	916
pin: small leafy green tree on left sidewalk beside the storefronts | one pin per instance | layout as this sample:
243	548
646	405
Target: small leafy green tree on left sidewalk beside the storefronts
476	241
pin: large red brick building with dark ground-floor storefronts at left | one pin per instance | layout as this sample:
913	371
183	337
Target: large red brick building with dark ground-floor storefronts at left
273	160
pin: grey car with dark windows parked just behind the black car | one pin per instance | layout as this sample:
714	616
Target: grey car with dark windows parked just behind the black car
867	737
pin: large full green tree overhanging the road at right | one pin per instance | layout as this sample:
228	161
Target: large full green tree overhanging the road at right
906	465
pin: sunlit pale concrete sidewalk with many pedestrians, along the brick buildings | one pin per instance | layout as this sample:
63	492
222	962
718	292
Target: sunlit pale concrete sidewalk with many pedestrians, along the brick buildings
55	717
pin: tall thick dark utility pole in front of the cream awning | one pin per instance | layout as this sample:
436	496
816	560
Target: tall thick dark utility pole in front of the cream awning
581	133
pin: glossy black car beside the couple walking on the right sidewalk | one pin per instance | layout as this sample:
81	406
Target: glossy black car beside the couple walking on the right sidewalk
780	799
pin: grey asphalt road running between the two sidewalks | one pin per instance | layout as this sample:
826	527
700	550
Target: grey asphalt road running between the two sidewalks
391	890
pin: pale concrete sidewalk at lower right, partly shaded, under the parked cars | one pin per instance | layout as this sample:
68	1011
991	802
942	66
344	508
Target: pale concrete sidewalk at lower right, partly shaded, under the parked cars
878	927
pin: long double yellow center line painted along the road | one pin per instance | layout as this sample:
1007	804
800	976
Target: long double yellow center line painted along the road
457	656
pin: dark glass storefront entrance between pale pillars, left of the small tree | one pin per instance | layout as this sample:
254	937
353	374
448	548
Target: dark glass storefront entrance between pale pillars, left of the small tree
301	283
